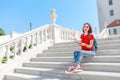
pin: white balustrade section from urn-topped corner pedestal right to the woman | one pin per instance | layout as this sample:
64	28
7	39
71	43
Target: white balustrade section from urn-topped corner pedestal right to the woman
61	34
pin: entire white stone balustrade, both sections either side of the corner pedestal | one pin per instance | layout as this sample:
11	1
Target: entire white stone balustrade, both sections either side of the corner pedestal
49	33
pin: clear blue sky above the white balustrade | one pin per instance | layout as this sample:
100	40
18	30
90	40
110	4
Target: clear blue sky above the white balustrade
72	14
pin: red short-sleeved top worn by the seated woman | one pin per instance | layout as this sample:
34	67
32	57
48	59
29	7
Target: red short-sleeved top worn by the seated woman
85	39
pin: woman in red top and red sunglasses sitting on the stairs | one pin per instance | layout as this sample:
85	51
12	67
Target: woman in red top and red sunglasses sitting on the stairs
87	48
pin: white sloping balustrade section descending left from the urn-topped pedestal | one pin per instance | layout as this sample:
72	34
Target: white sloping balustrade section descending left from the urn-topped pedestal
22	43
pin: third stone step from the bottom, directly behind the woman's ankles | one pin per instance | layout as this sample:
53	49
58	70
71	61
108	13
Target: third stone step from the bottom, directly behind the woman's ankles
107	67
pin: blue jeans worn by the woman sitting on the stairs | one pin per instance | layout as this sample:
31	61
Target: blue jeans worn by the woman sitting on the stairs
78	55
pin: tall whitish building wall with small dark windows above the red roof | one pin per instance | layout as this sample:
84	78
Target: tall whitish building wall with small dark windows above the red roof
108	11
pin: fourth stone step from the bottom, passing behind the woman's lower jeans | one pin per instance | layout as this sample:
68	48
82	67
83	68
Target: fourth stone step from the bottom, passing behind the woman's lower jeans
113	59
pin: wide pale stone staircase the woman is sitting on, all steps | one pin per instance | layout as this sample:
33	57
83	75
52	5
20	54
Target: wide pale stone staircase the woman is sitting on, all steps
56	59
